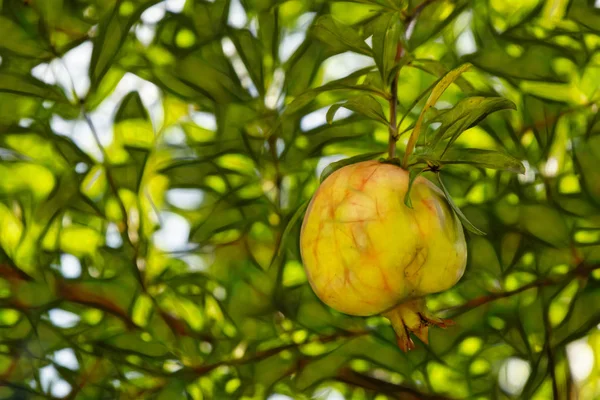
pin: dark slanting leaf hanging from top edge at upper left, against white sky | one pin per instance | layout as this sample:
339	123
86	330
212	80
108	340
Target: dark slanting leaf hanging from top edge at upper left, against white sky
112	33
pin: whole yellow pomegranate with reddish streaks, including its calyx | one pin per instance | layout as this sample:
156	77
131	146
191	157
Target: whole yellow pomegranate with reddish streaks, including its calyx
366	252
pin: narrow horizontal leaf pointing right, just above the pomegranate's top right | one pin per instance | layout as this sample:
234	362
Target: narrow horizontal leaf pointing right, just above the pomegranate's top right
483	158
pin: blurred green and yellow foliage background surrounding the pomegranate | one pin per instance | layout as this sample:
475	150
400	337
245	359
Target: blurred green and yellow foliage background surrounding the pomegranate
154	155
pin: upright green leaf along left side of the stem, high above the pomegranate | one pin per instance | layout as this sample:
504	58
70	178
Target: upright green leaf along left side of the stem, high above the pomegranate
386	38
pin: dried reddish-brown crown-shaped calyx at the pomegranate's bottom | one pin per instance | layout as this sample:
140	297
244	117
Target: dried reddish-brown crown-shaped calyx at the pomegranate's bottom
413	317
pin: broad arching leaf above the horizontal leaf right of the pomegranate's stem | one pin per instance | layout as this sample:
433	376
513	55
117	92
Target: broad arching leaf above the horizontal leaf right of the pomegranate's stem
466	114
